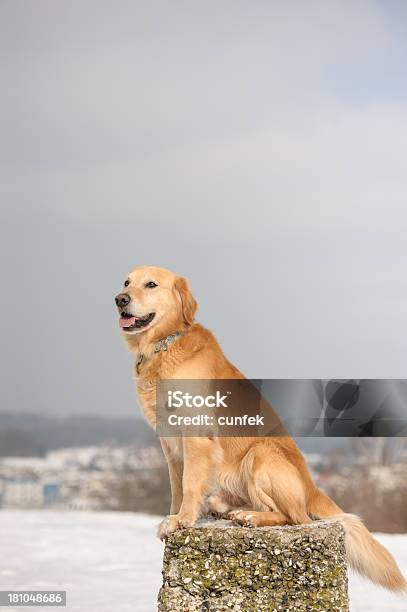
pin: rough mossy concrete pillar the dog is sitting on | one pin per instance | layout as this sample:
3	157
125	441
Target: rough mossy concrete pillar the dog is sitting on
218	567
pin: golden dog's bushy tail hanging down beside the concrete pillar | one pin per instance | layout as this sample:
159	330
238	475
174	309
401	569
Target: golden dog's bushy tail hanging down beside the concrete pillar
364	553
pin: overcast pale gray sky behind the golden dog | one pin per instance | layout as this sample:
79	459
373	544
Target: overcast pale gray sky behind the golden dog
258	148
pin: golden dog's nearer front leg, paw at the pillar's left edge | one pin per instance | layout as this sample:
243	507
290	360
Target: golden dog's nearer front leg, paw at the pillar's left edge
198	474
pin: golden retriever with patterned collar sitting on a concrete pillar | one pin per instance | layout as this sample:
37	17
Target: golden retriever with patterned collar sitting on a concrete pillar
254	481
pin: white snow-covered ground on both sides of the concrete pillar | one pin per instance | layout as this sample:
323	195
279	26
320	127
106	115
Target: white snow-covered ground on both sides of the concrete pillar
112	561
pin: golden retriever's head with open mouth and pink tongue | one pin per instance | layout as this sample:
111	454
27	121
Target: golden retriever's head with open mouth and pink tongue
155	298
